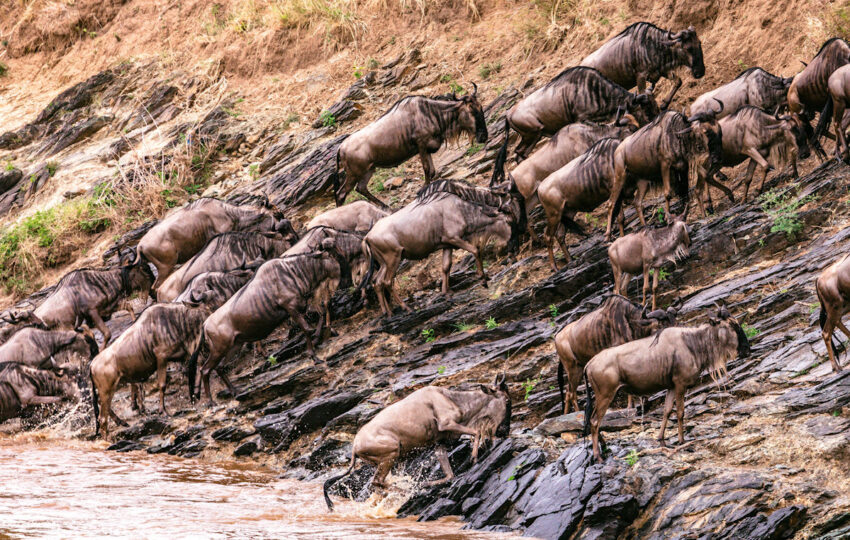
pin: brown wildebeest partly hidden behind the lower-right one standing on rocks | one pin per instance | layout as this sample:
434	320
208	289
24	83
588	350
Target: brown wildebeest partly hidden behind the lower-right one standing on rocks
613	323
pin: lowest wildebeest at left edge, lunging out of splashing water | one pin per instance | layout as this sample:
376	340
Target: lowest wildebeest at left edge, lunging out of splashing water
21	386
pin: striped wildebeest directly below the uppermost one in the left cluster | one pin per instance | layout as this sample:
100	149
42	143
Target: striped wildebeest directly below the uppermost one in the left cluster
223	252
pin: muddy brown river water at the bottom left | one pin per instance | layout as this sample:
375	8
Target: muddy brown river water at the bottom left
59	488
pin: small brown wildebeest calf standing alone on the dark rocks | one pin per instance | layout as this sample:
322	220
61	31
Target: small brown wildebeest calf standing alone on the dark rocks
645	251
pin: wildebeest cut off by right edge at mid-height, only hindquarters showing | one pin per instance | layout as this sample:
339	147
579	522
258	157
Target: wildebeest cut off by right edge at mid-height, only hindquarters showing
833	290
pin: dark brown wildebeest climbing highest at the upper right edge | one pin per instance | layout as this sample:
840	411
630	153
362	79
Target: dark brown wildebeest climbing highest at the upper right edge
809	91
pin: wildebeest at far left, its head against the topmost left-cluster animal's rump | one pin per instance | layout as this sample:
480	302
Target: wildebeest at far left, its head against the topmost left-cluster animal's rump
92	295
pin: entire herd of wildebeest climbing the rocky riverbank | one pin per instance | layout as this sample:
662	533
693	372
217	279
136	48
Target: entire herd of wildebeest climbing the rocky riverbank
229	274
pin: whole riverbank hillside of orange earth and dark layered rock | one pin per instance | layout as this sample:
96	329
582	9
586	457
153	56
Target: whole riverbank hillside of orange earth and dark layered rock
112	113
